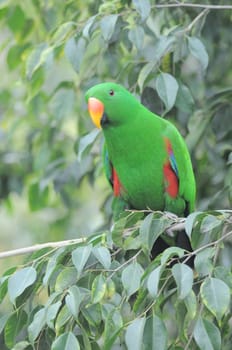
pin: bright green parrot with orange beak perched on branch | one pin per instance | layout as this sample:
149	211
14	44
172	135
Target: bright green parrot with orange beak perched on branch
146	159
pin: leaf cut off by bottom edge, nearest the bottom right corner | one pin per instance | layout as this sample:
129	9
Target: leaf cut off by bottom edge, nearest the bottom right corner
207	335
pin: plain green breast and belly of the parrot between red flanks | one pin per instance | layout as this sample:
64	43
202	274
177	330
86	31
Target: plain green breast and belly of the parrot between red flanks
138	163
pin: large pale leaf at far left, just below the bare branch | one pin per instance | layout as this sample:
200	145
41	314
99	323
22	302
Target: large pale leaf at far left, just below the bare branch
19	281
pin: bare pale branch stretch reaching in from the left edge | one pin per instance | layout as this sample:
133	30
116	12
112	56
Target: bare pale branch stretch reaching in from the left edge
36	247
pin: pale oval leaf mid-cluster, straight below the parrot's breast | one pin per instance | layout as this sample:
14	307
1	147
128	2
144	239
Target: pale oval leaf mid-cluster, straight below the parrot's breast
131	277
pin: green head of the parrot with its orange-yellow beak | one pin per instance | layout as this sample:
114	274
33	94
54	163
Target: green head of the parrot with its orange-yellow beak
110	104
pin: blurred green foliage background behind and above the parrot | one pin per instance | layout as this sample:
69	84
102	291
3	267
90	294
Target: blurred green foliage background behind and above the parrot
52	185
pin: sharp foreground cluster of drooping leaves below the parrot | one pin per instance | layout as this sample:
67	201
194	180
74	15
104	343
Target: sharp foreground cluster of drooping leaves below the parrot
108	294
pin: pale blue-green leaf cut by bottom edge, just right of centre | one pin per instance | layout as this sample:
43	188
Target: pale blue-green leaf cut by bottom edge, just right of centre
134	334
